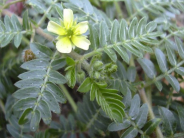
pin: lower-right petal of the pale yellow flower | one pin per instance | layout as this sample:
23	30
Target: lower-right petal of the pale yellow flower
81	42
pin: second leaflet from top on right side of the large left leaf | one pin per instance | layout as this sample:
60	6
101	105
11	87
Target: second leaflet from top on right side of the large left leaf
56	77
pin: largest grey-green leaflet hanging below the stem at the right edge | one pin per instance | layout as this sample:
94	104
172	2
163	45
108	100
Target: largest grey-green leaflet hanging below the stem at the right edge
174	82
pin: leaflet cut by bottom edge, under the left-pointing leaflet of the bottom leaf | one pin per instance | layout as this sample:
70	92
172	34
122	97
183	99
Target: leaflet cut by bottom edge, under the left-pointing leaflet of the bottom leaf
130	133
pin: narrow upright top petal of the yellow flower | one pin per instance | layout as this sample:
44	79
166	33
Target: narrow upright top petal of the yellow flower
68	18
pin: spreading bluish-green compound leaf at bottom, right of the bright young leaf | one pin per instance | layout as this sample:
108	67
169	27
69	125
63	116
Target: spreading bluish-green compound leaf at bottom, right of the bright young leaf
135	120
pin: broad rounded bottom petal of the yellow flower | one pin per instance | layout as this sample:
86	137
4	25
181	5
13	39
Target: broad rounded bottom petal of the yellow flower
64	45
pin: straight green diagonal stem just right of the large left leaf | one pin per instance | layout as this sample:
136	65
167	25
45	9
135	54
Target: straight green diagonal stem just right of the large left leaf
69	98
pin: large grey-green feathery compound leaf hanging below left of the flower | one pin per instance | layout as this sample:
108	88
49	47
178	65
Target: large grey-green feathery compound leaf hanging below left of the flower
39	95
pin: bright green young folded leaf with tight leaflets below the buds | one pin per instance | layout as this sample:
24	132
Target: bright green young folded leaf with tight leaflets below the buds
108	99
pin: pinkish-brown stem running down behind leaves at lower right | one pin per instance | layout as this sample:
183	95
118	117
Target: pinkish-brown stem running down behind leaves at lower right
150	111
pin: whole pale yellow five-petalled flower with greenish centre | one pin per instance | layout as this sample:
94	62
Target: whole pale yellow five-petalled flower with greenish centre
70	33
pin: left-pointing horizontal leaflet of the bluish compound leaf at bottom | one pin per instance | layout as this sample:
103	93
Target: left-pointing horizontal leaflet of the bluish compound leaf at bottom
119	126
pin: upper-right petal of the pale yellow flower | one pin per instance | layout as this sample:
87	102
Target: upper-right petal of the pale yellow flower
81	28
